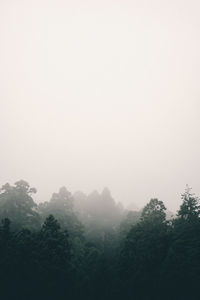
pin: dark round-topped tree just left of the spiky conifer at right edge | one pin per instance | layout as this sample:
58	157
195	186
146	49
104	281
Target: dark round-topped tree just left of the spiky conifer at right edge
144	251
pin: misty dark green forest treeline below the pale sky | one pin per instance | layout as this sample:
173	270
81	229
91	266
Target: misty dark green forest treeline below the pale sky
89	247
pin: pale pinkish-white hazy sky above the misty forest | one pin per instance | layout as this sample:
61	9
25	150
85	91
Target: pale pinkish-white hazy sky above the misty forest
101	93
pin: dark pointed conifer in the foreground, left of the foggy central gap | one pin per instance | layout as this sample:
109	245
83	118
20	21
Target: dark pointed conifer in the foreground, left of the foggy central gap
53	255
